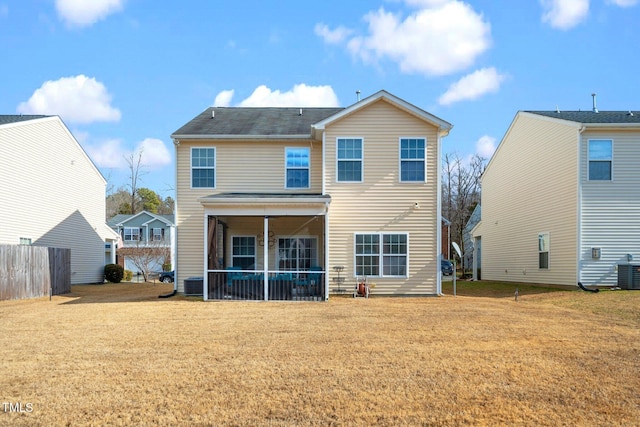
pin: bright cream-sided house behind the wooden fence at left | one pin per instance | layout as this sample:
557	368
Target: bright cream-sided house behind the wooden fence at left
53	195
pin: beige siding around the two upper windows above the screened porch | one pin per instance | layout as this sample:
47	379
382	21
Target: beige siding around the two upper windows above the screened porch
241	166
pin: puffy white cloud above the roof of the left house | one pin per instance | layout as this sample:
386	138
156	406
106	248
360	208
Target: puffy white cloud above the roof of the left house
78	99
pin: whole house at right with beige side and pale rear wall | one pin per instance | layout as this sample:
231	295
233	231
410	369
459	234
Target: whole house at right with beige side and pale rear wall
561	199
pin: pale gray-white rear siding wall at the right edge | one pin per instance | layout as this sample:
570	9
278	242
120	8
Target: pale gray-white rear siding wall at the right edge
610	211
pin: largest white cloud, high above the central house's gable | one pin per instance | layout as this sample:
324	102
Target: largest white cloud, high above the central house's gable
441	37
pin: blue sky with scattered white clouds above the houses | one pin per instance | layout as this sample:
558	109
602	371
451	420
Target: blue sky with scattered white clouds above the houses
125	74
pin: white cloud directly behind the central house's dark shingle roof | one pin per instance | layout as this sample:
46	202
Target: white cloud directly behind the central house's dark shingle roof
300	96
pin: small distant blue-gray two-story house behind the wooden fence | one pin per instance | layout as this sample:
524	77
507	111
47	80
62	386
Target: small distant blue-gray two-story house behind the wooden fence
146	241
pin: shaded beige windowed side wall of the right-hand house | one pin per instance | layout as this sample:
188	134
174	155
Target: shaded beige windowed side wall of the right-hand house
531	187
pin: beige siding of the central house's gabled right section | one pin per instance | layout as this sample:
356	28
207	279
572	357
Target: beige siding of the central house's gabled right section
381	203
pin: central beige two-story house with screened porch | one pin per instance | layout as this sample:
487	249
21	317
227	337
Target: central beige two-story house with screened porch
283	203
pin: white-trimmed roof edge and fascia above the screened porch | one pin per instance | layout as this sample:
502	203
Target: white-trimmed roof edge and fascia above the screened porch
266	203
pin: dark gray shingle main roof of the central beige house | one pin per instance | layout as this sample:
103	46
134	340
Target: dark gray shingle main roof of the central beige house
237	121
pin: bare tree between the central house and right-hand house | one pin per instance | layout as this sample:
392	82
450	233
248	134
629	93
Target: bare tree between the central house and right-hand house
461	191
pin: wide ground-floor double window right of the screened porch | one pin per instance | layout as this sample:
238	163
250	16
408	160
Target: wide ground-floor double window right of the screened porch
381	254
